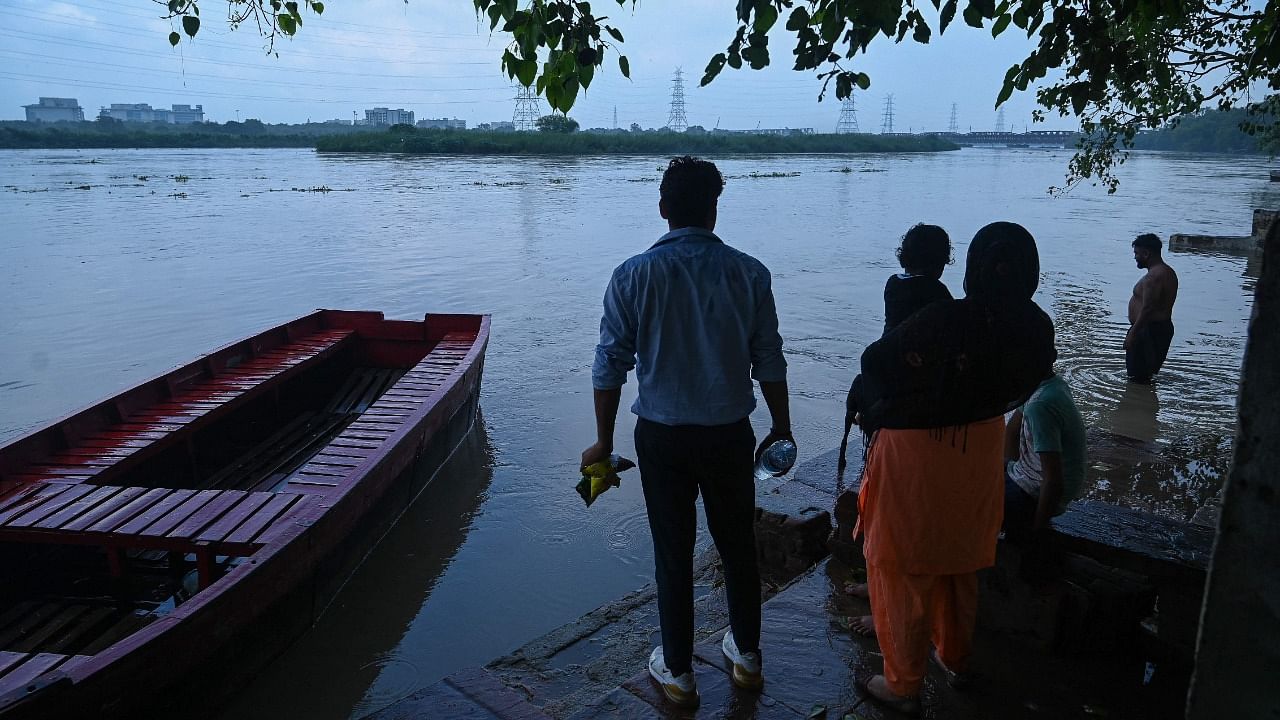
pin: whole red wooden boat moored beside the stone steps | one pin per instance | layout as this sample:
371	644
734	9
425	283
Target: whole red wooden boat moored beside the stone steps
158	548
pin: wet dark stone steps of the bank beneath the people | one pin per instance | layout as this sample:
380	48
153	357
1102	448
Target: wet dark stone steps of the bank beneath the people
1105	637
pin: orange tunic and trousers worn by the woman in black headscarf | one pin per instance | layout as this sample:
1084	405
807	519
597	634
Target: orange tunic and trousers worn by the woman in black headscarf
930	508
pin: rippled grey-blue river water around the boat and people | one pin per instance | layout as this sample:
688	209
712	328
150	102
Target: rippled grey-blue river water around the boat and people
121	265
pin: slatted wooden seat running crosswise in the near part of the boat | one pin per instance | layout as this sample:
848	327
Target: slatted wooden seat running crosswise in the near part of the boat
208	523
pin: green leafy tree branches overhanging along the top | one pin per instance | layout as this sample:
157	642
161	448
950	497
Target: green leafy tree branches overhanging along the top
1118	66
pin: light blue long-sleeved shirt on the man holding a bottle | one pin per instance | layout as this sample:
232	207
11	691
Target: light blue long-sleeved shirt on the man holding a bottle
697	321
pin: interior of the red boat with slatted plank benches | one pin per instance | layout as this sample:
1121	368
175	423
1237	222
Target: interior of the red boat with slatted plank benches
120	514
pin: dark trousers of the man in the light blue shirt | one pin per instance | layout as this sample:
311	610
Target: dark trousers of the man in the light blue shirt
678	462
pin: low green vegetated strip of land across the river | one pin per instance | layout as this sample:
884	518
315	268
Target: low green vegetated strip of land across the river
415	142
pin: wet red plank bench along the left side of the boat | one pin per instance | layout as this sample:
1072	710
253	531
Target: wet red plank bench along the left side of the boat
103	455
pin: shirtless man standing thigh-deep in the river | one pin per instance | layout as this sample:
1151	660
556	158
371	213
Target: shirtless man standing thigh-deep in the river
1151	326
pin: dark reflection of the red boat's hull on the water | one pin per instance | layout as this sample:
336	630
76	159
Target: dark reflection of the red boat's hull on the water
354	662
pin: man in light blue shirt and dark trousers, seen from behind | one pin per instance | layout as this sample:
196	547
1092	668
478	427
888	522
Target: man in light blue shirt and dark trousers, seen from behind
696	320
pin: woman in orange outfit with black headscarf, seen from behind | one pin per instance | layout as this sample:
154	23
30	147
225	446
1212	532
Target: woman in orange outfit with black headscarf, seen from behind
934	395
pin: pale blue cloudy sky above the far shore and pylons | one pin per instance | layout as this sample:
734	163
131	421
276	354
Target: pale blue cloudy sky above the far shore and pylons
436	58
